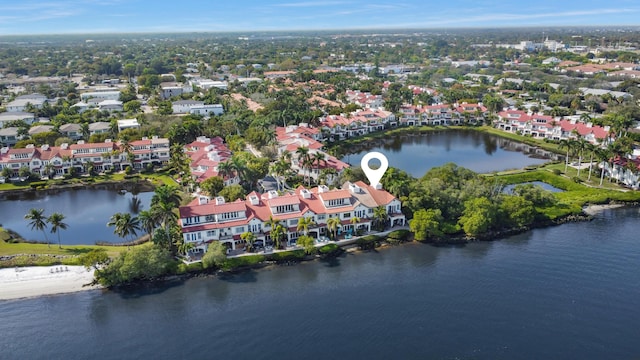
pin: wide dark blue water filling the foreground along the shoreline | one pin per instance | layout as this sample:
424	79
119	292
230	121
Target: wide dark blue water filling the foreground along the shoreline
567	292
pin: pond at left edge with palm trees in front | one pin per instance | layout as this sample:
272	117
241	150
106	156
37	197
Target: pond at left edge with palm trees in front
87	213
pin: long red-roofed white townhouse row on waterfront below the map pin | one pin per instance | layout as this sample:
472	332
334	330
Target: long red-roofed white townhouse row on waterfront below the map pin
206	220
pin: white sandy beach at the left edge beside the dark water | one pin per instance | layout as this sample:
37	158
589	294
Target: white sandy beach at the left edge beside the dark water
24	282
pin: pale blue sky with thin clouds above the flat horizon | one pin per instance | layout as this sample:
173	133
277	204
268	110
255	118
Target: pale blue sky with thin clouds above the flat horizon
100	16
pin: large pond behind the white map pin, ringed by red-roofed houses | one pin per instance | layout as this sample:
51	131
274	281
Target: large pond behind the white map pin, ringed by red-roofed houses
480	152
